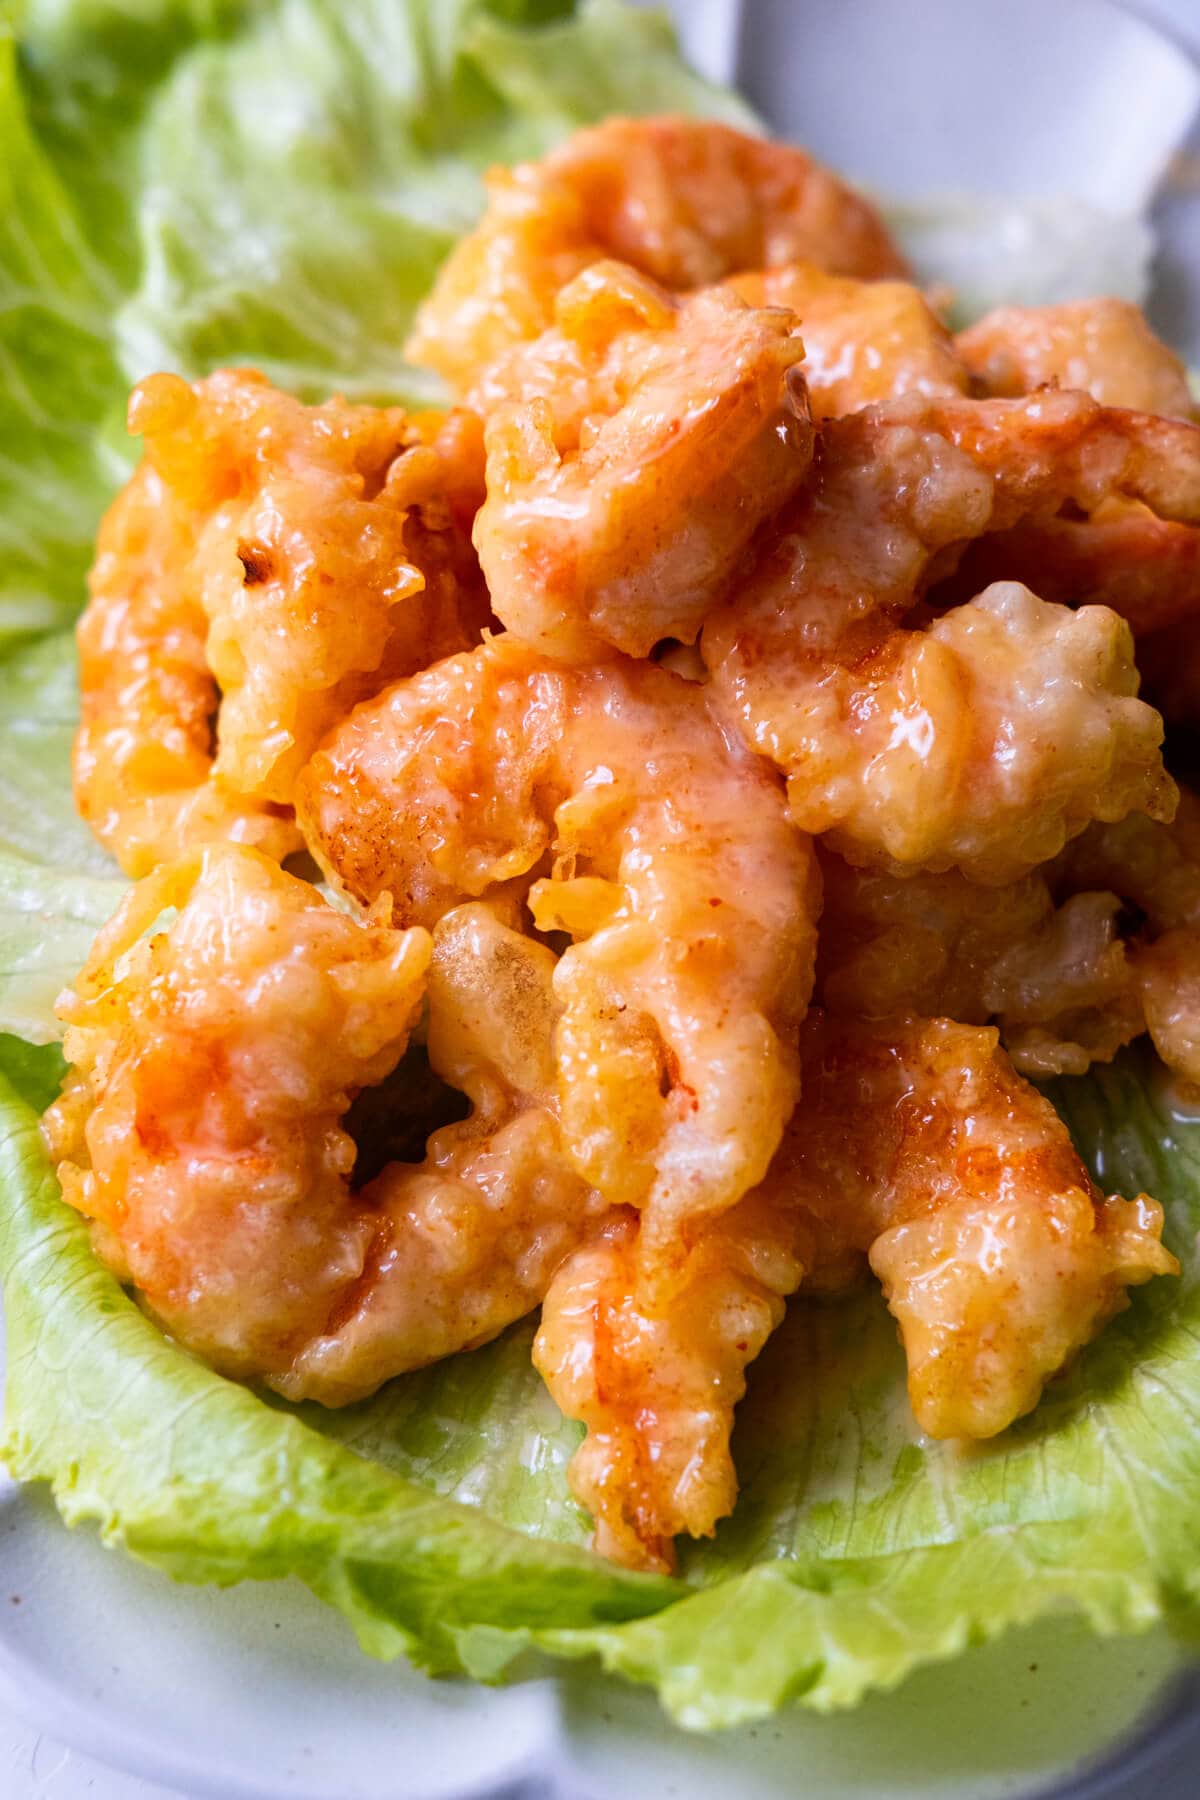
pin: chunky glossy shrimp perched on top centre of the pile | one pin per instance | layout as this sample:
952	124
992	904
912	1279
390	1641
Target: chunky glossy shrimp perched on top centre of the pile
641	445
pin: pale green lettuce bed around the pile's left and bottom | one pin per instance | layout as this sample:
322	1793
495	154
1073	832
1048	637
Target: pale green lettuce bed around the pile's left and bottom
193	183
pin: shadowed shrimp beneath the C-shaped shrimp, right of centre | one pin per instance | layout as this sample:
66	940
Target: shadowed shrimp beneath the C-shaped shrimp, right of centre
1053	976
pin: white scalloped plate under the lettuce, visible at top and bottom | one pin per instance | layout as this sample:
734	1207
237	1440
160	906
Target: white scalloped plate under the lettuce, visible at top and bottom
260	1691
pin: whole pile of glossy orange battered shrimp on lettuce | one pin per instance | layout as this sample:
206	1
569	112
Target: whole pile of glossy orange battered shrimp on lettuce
721	735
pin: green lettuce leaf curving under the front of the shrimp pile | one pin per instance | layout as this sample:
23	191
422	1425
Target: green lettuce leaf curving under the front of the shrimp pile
438	1522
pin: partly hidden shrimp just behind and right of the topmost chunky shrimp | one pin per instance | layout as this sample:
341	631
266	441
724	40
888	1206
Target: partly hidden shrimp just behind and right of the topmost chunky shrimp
864	341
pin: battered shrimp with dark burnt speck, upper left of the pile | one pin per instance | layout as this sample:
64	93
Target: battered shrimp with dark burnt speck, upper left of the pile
269	566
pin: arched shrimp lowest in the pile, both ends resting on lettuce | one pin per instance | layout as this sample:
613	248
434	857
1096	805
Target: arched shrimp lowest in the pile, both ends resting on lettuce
915	1142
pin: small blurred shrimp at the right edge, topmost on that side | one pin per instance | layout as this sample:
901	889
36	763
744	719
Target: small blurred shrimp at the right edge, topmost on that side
1106	348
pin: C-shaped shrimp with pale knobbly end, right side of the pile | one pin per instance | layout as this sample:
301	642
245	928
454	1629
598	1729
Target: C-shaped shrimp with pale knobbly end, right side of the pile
992	737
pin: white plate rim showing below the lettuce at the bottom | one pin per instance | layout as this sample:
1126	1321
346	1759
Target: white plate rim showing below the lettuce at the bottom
260	1693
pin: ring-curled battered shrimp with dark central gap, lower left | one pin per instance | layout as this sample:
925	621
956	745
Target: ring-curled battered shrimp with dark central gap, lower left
202	1128
